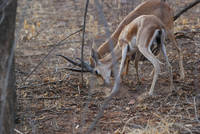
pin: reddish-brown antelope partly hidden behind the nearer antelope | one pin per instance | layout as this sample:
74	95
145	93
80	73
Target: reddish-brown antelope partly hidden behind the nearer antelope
160	9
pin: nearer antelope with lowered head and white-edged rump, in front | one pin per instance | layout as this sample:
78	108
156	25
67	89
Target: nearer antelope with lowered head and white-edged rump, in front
138	35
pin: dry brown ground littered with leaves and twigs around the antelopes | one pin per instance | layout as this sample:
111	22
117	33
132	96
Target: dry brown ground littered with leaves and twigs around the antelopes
53	100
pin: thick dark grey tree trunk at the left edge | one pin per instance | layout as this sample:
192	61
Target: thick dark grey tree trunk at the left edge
7	68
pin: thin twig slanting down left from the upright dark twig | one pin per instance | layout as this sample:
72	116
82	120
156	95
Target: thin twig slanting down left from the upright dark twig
54	47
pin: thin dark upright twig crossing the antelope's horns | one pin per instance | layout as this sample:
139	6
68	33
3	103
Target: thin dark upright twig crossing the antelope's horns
83	38
